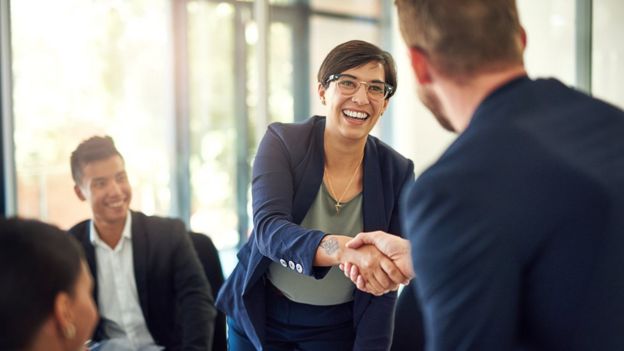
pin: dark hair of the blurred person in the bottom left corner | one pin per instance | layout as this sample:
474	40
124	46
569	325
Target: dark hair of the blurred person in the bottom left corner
37	262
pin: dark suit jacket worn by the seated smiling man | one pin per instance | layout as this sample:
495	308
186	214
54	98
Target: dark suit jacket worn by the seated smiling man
175	297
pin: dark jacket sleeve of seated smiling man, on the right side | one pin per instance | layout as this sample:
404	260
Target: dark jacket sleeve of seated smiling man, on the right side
193	295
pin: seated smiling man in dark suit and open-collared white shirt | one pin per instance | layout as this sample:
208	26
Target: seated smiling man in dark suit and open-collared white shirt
149	285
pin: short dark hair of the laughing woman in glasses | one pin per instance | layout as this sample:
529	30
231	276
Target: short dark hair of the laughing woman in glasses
356	53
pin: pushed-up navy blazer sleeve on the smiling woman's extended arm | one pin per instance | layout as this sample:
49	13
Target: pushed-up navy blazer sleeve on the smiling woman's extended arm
273	187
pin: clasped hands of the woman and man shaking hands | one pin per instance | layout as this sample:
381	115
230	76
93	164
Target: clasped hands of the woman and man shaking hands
377	262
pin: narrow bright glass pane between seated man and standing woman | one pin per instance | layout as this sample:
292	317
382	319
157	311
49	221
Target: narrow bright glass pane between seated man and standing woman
211	35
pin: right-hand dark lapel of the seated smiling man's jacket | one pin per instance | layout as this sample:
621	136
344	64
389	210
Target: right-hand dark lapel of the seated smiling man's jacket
139	254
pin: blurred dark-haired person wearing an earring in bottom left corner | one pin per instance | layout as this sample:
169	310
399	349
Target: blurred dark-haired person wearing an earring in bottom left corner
45	289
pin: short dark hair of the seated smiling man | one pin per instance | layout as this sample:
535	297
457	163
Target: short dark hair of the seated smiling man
95	148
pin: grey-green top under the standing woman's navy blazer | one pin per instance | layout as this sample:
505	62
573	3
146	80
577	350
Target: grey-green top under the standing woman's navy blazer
334	288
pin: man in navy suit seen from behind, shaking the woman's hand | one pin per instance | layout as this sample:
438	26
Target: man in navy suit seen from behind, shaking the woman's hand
517	230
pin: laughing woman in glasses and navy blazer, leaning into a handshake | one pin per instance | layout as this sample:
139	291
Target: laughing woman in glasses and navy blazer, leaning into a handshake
296	164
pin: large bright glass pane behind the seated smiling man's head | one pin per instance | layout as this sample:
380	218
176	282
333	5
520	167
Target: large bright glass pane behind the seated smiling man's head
82	68
